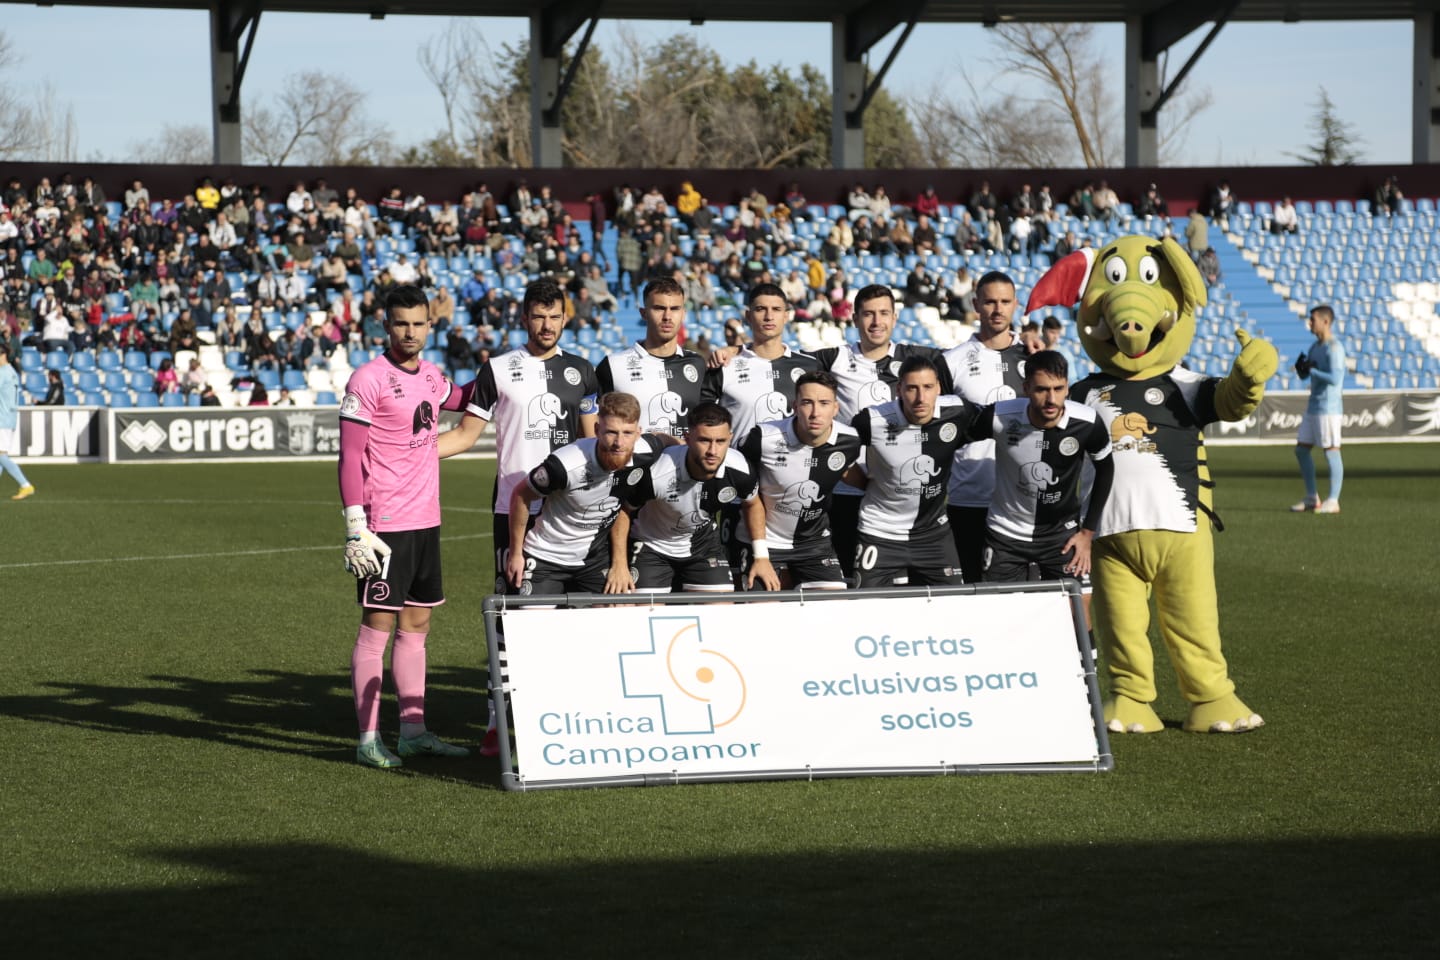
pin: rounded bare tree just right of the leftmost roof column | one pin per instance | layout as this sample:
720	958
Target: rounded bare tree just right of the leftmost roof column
318	119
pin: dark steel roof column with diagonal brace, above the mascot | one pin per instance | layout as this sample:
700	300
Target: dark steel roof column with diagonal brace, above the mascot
1147	37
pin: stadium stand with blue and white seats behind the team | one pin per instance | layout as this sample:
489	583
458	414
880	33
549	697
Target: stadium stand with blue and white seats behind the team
1379	271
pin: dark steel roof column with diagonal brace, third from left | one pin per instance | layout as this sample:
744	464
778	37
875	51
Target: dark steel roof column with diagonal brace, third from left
852	38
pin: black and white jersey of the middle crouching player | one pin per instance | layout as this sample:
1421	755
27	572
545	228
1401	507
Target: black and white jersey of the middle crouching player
797	481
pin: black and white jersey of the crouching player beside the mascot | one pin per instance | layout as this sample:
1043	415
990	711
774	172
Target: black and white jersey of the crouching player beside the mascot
1038	471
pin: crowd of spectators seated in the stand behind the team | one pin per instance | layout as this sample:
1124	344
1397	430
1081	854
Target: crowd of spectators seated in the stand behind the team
287	281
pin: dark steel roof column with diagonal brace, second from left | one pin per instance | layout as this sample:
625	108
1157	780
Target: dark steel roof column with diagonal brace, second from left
552	25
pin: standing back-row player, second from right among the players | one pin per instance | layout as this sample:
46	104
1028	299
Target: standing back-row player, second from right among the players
868	372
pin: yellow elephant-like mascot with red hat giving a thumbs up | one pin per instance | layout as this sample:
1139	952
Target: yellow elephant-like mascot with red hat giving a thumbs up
1137	322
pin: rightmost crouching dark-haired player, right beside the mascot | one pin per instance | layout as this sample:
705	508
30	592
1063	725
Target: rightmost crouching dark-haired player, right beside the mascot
1035	513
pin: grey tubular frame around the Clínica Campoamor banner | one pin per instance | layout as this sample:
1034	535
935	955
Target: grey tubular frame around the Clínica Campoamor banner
513	775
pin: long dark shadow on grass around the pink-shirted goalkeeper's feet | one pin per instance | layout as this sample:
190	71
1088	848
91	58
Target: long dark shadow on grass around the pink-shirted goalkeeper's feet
270	710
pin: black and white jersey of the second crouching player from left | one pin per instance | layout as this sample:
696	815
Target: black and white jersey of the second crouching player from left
678	515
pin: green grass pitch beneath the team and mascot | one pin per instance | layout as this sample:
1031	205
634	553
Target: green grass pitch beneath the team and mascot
178	774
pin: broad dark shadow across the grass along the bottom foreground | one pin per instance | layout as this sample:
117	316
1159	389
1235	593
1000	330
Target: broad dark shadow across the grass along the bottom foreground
1315	897
